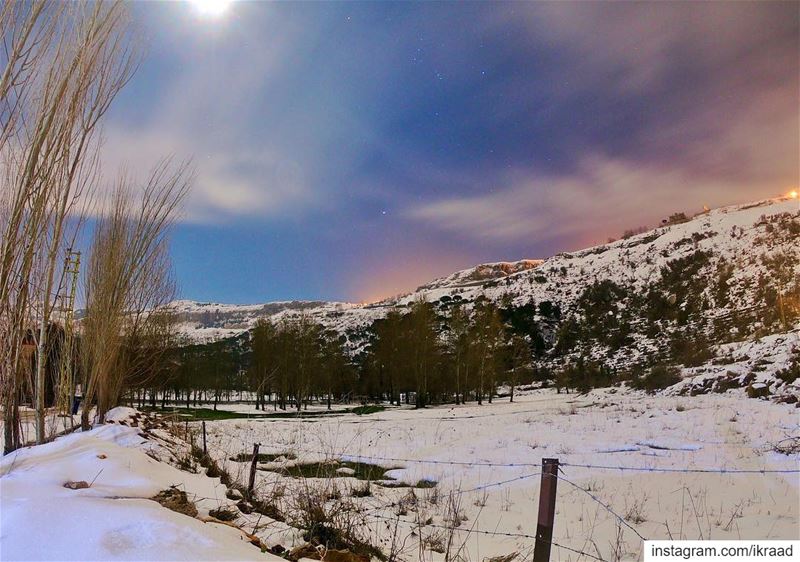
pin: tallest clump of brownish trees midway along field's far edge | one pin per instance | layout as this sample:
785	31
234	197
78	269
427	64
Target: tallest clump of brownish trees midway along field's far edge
461	355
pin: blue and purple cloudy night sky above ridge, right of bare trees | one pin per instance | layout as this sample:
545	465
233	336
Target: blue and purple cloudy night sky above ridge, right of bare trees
352	151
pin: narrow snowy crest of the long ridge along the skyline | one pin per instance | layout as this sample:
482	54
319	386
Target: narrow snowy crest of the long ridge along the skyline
729	232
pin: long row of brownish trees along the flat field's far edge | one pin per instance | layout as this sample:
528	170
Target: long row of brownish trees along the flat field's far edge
425	355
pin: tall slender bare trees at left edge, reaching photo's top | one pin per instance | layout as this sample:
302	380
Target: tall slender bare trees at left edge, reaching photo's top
64	65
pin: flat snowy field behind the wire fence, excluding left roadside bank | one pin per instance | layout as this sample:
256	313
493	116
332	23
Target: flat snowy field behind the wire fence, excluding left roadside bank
720	433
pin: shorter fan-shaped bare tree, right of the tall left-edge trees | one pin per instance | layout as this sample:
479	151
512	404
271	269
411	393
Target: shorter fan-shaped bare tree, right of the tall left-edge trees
129	277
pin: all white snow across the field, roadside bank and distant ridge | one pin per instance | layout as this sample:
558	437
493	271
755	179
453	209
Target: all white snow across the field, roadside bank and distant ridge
675	430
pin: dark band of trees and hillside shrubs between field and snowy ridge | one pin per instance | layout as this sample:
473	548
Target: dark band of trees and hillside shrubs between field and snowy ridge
454	351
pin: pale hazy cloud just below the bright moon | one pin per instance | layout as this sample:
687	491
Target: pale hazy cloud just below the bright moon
230	98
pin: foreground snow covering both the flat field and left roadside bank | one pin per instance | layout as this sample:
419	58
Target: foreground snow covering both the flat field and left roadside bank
484	459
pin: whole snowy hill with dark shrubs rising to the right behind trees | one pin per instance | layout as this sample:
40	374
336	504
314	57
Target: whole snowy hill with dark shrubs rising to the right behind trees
686	293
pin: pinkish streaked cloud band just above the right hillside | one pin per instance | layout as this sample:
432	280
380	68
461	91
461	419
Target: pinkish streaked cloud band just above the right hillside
751	157
